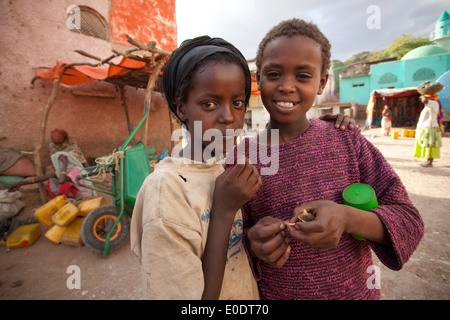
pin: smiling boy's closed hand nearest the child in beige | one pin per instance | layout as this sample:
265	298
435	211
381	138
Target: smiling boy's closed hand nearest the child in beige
267	240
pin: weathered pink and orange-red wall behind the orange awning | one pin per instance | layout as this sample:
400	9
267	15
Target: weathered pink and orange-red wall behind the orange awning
99	124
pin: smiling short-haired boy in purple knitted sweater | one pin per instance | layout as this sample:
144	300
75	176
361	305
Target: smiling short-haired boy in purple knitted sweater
318	259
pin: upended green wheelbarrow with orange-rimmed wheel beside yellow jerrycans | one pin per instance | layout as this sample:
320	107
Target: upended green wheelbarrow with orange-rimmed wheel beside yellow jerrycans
107	227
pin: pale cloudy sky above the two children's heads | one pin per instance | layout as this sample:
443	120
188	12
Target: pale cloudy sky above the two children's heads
351	26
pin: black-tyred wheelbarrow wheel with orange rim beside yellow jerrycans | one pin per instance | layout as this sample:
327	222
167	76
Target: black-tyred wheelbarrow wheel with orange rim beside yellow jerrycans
97	225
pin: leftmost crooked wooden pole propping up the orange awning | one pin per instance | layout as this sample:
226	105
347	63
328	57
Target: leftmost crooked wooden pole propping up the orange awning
37	150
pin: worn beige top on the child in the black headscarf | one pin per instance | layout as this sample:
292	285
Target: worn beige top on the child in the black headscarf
169	227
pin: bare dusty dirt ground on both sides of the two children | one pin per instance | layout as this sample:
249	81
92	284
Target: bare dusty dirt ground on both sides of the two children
42	271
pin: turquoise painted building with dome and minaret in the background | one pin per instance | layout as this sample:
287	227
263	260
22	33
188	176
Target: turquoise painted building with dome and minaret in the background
421	64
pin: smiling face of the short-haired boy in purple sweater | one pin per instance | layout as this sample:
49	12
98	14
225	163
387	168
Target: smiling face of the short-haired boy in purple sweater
290	77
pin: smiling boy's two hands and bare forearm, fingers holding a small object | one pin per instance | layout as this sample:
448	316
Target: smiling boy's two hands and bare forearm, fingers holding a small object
318	224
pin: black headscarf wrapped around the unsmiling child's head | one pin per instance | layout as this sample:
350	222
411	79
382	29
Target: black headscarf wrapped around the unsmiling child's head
185	58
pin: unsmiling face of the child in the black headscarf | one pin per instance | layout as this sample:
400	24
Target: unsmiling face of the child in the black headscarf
217	100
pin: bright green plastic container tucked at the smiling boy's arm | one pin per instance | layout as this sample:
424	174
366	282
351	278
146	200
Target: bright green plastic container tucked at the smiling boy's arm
361	196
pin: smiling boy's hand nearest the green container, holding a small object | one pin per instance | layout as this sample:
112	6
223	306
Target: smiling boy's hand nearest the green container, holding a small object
325	230
